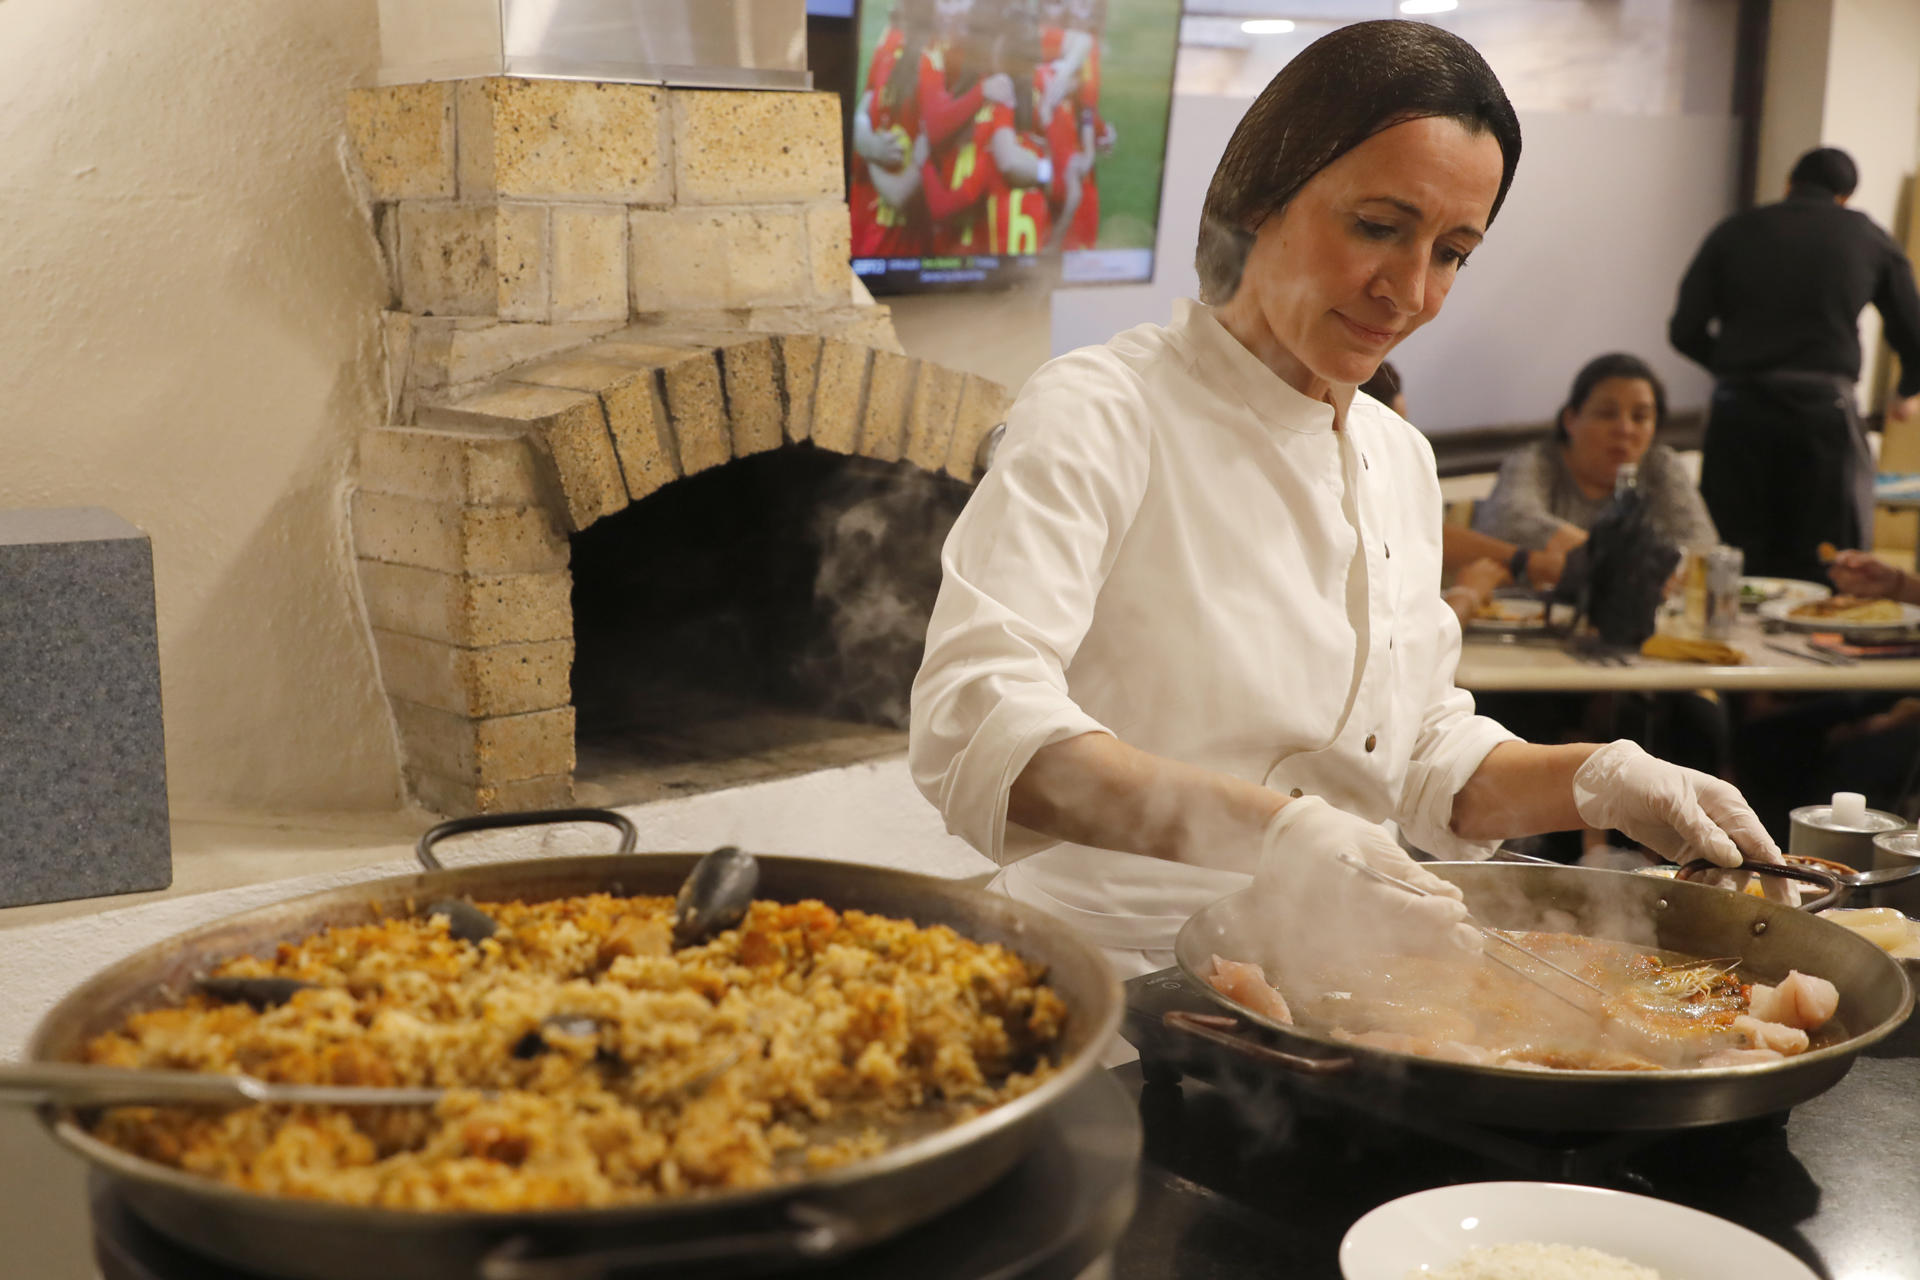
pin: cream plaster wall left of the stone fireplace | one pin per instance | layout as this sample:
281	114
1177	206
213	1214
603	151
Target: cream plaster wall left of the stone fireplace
191	343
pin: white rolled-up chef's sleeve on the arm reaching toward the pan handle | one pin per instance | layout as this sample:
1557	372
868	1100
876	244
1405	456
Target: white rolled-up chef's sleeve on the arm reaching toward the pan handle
1451	747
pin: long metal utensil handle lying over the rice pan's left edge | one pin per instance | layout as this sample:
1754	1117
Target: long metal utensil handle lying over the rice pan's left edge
80	1087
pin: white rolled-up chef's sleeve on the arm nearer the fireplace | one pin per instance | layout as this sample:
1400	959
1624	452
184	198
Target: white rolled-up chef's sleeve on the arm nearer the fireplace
1020	577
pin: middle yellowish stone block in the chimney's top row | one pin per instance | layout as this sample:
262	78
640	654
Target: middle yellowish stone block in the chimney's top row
564	141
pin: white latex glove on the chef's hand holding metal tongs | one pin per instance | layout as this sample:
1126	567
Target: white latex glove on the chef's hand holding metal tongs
1326	911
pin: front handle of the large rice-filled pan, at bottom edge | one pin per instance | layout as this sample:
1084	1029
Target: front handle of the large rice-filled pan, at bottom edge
809	1237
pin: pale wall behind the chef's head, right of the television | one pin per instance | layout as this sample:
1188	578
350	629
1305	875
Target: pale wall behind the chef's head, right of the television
1604	216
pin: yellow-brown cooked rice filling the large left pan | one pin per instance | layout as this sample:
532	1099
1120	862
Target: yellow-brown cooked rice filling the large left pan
588	1060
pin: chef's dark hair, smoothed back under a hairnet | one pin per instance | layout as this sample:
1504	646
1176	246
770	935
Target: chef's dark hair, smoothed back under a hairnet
1341	91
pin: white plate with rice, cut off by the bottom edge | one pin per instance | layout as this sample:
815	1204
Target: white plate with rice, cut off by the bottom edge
1435	1229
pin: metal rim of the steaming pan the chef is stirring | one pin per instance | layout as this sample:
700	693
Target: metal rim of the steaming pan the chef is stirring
1812	1062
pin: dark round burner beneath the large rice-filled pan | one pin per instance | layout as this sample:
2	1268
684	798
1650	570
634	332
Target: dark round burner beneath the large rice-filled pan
1057	1214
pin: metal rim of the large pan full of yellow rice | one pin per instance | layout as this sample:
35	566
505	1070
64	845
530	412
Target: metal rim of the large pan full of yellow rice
615	874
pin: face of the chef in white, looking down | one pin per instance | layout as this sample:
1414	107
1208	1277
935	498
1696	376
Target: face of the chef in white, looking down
1366	252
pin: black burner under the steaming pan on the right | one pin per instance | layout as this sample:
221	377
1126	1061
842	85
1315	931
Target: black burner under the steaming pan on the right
1170	1056
